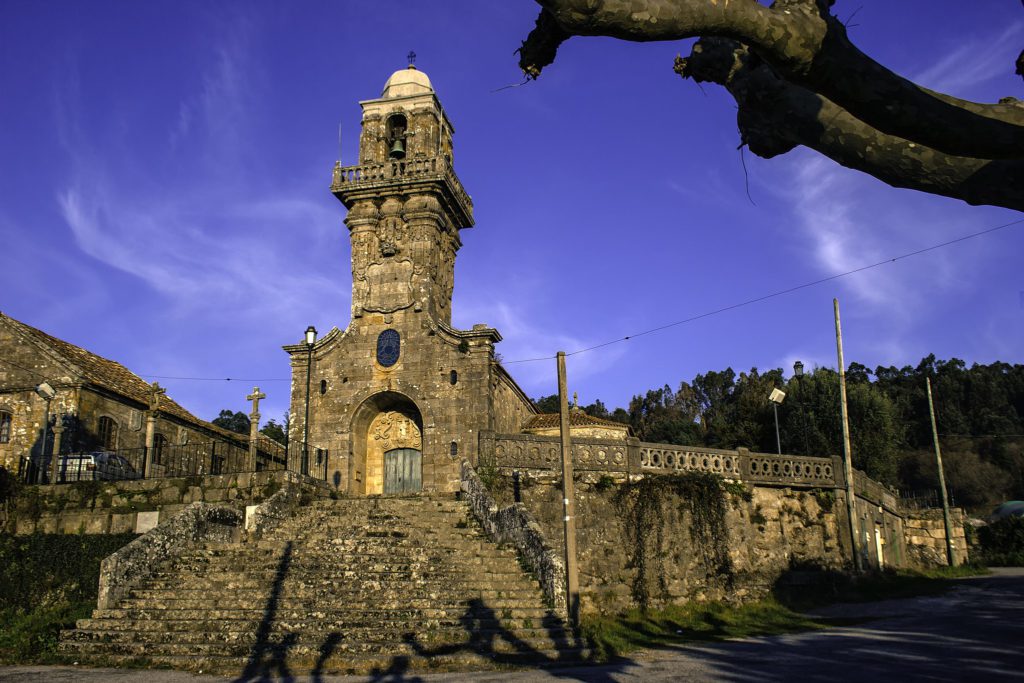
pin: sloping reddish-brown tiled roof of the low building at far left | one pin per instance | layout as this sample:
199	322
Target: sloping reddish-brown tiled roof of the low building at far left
110	375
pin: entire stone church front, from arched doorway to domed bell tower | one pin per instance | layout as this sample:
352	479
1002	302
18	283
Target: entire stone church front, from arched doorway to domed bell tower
400	398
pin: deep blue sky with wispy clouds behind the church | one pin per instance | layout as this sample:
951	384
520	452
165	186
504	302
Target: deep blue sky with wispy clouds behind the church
165	197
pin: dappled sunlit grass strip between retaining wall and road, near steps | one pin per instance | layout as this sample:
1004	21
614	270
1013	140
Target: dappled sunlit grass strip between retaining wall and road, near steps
610	637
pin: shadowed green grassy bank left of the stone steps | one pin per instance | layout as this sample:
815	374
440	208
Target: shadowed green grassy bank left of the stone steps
48	581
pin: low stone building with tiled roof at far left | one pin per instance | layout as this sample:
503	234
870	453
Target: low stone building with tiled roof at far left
100	405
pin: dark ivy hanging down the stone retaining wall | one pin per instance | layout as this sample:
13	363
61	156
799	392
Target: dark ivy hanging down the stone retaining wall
645	504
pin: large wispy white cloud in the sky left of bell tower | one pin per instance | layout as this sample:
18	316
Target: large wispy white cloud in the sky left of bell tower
201	241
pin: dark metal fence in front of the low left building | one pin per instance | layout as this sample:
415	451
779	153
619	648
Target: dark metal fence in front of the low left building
201	459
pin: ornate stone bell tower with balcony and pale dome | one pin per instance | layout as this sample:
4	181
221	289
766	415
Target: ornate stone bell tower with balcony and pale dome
406	206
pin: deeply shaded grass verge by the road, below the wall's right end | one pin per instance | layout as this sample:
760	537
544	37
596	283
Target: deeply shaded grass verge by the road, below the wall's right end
824	588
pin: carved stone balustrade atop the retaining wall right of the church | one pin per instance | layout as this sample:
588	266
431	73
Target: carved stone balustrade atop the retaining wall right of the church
529	452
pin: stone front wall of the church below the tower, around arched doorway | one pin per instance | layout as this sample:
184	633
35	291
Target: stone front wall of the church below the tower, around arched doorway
450	412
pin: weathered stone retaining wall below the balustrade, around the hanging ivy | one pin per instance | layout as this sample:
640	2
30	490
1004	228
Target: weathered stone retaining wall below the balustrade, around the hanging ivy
776	530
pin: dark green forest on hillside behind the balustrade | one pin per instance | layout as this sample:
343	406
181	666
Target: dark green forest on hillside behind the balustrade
979	412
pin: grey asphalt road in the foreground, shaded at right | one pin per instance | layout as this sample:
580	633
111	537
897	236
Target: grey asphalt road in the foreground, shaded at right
973	633
